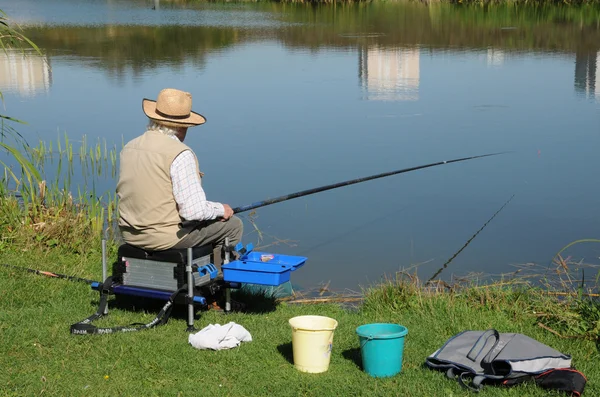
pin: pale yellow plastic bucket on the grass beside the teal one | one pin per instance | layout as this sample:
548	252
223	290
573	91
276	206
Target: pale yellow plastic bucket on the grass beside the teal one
312	340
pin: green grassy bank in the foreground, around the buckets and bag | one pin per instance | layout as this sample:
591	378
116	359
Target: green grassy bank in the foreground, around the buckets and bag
38	356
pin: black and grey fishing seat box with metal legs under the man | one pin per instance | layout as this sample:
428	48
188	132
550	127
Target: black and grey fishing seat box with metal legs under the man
163	275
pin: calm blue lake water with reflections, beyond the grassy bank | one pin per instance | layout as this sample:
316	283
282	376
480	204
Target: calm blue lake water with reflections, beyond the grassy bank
300	96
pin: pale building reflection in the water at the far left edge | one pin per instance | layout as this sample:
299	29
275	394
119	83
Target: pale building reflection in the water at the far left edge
25	74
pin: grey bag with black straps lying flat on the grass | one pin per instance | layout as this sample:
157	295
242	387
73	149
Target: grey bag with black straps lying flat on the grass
473	357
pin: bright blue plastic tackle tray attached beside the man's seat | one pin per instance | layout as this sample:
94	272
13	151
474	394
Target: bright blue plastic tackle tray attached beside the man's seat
261	268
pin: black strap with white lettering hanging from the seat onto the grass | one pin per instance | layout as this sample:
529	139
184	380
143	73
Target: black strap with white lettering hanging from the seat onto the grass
85	326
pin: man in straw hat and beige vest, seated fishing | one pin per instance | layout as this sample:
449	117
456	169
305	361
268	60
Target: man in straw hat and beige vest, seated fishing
160	184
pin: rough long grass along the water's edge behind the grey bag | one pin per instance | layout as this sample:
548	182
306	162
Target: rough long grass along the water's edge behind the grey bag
558	296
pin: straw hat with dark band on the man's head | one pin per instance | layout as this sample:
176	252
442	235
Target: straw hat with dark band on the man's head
172	108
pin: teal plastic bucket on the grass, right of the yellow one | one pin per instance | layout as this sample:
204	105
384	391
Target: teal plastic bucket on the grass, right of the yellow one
381	348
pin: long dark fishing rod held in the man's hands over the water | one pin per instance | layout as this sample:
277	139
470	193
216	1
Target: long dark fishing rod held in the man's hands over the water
286	197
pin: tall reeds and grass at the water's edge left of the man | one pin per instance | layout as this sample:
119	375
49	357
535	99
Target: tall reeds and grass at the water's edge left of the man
56	211
